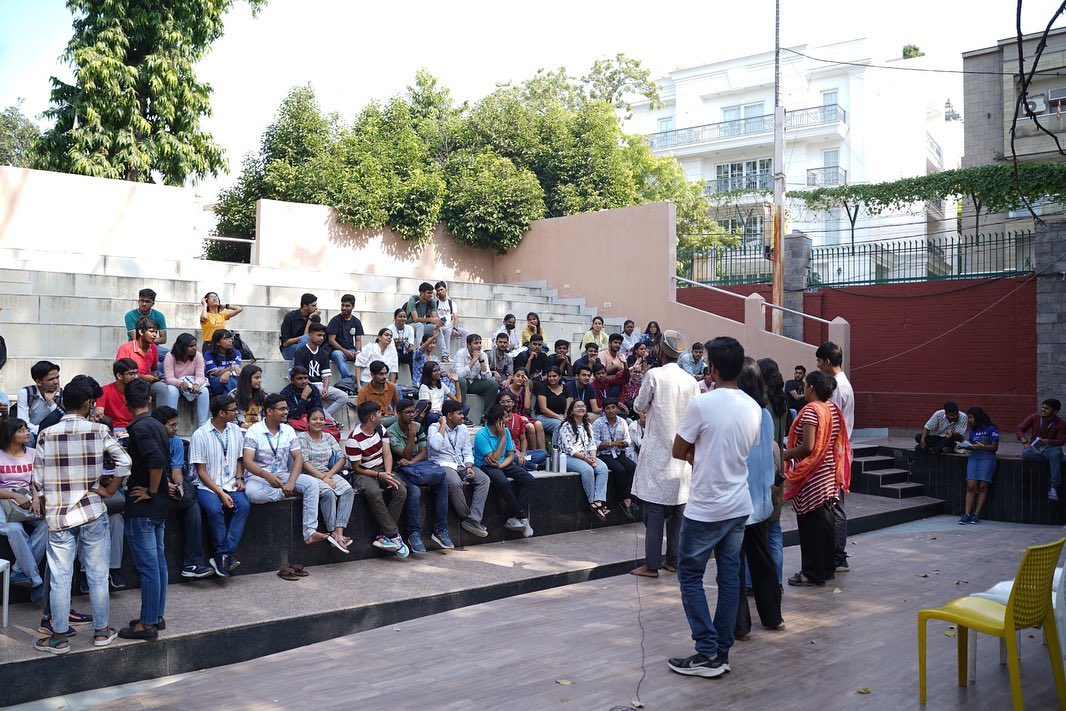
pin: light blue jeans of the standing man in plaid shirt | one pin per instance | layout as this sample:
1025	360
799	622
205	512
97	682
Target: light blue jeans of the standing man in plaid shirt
93	542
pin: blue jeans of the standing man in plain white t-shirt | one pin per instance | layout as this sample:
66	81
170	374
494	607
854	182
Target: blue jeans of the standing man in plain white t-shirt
699	540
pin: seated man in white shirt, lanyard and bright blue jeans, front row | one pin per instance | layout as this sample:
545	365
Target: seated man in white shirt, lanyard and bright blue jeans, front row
216	454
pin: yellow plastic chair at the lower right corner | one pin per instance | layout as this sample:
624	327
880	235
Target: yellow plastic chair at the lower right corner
1029	606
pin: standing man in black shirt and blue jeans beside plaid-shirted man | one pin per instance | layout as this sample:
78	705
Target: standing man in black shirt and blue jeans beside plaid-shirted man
148	505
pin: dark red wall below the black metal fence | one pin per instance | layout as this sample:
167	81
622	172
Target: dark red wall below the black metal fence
903	365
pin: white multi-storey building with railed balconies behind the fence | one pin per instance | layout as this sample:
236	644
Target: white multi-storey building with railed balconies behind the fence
846	122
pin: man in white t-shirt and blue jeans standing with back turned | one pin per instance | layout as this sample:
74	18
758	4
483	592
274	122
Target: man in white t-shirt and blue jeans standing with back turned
718	431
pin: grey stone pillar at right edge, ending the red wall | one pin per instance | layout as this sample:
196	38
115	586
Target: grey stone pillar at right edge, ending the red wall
1051	264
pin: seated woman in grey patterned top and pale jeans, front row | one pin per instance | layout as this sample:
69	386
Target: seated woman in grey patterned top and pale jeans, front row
325	460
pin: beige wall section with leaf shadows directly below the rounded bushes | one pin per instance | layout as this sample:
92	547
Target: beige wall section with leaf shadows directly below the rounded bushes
294	236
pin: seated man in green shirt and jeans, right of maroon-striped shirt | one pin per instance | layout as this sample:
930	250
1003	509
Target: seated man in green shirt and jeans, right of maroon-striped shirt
412	459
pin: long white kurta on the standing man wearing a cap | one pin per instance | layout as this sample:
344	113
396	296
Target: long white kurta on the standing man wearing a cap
665	394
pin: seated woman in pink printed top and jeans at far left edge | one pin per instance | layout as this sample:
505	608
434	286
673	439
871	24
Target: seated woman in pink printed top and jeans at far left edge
22	509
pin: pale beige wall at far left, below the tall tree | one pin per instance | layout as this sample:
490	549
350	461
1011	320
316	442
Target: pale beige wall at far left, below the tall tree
60	213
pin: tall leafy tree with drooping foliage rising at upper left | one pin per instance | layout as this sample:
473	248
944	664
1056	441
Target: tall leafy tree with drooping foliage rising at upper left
136	106
